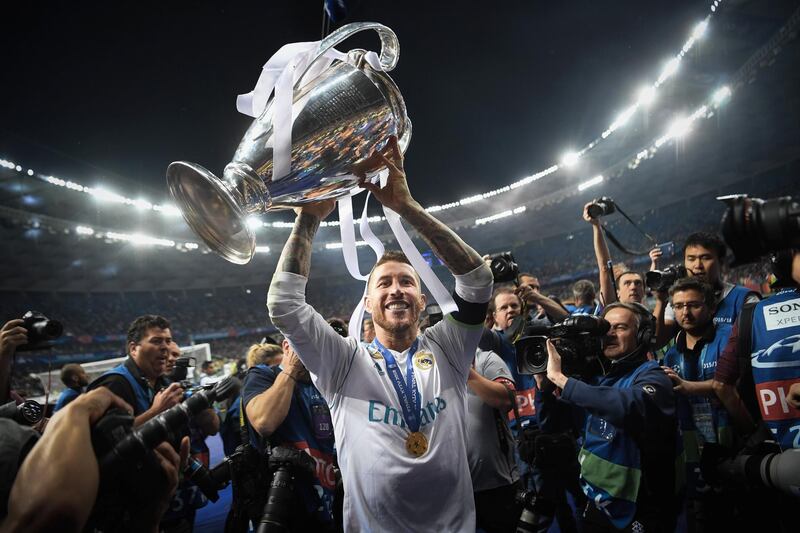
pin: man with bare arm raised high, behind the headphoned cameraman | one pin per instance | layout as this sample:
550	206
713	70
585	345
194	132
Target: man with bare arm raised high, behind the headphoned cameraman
629	285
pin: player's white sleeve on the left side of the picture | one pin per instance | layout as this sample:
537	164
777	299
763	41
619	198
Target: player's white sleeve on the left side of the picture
325	353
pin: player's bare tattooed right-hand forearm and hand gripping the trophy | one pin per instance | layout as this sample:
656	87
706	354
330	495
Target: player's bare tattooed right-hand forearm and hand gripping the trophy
459	257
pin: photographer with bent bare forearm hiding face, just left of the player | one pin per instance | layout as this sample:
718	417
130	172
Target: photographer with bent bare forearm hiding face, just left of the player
283	409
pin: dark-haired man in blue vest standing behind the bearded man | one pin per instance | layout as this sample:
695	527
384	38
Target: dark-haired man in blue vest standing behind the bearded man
704	254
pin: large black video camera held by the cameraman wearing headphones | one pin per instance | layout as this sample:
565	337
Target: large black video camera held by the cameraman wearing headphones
578	340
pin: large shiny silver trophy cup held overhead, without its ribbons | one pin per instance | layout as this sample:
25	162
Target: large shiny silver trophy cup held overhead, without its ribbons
340	117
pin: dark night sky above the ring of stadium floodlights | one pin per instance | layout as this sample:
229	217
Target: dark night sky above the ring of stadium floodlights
496	91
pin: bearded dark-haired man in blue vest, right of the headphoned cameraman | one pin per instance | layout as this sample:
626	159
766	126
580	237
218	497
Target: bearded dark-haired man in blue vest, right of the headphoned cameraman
690	364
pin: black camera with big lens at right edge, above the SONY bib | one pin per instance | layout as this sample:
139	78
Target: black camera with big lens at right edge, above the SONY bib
753	227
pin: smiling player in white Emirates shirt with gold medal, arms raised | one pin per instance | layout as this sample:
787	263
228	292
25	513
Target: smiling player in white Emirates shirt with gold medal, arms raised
398	403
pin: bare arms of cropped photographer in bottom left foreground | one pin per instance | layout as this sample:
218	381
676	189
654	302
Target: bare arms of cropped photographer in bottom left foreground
58	482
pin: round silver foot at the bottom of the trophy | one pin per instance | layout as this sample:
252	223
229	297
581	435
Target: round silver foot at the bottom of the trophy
211	211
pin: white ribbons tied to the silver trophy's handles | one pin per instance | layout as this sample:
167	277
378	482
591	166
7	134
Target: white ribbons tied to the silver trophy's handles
280	73
